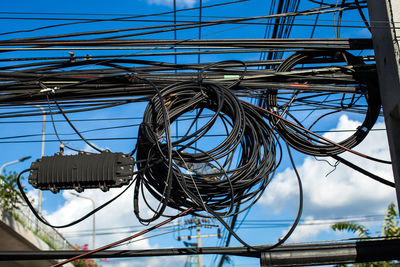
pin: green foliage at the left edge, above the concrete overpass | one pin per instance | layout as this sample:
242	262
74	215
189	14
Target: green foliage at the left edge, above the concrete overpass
10	197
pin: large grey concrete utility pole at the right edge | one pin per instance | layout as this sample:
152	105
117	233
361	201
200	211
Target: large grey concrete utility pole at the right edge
384	15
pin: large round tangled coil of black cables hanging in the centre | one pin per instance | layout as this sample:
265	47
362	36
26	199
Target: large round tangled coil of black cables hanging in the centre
180	174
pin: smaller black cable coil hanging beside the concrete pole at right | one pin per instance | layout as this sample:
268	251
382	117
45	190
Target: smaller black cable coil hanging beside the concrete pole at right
300	139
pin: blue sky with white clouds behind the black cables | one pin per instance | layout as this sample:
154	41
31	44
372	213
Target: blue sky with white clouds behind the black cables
340	194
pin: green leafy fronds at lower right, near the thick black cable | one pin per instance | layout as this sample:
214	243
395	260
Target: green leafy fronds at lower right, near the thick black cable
390	230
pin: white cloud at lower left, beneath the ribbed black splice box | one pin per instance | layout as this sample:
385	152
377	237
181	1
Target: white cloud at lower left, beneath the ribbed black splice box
117	214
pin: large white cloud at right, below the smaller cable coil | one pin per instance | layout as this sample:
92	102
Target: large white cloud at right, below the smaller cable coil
343	192
